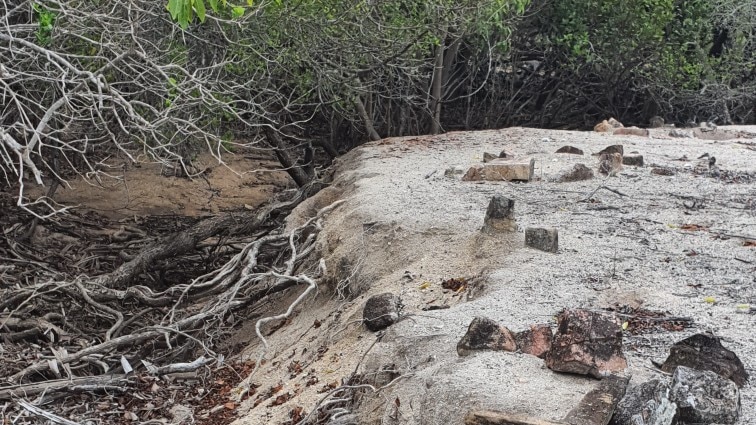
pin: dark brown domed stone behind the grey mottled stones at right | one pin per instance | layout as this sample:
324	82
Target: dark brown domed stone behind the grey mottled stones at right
705	352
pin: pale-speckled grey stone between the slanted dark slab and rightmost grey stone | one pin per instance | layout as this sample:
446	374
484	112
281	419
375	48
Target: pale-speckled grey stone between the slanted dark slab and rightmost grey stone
646	404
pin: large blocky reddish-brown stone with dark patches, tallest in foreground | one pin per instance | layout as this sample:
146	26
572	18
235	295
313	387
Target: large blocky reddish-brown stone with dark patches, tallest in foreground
587	343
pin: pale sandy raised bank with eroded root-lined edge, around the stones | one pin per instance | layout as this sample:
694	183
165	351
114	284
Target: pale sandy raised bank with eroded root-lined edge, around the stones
669	243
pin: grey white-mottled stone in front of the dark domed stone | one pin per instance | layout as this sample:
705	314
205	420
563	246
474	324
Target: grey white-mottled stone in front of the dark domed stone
703	397
